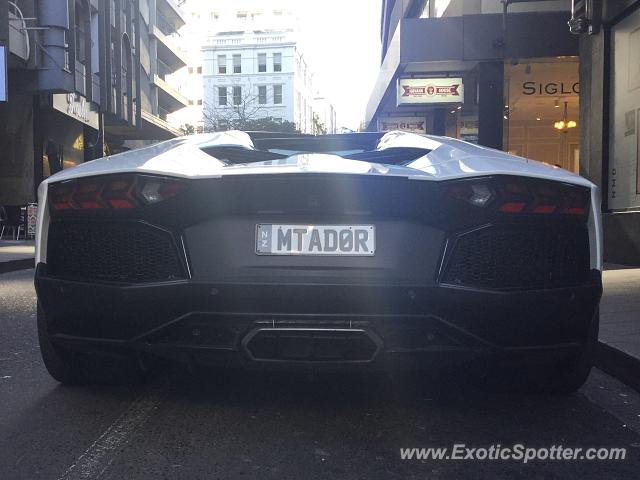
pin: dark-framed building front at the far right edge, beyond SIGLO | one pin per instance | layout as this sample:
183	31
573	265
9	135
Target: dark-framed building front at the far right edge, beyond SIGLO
610	114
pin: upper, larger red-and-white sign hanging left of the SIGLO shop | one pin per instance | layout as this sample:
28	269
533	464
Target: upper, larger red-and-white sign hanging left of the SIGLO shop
430	90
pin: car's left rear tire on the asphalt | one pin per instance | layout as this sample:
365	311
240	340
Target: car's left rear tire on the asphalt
71	367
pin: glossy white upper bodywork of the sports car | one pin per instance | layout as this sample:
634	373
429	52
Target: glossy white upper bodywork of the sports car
448	159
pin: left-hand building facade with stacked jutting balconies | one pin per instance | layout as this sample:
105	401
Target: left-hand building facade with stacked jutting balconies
84	77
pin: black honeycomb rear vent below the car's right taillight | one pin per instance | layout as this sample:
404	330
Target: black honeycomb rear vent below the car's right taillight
500	258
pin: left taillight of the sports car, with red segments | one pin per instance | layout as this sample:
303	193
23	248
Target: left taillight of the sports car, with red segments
120	192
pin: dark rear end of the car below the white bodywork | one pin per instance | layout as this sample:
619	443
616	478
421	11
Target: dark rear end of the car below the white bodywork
503	268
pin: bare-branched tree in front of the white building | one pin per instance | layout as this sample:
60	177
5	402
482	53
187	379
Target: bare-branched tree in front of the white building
243	112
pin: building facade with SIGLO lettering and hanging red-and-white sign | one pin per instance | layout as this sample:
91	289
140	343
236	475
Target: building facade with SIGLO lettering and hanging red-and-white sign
471	69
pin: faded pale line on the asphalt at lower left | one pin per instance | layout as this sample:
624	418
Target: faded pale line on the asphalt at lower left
97	458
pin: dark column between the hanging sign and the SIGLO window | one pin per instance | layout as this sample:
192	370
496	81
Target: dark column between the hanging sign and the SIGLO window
490	104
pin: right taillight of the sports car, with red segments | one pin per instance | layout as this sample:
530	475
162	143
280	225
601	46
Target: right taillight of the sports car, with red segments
512	195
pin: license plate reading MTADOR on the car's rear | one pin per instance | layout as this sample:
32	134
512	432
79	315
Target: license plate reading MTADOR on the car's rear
352	240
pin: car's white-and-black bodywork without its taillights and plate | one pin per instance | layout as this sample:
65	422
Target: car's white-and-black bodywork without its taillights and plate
223	300
